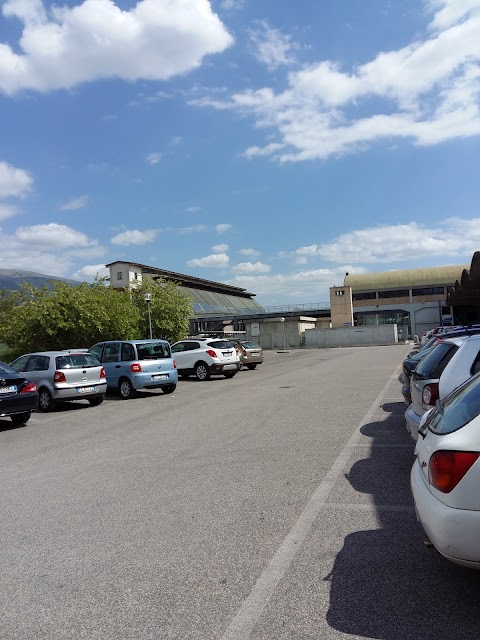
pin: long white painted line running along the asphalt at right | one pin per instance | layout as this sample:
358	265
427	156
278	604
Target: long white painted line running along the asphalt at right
242	625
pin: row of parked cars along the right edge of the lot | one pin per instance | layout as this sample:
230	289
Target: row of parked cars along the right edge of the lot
443	418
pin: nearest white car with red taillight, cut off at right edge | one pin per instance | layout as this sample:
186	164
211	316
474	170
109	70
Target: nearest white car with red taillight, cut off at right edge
445	477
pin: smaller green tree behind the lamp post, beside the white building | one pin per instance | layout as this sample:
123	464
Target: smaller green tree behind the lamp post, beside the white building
170	309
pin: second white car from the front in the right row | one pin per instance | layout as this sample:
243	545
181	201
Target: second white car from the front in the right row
447	366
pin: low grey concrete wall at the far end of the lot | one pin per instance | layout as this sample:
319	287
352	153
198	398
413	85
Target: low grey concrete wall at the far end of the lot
351	336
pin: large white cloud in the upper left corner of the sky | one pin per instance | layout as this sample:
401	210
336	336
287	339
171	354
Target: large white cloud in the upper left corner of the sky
63	46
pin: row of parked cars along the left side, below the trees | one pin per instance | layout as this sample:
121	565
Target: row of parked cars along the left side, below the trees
47	377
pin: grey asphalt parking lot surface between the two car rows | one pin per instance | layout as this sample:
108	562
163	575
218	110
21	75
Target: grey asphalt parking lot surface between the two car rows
273	505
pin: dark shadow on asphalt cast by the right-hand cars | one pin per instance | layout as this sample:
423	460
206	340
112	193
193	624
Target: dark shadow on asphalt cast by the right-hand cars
386	583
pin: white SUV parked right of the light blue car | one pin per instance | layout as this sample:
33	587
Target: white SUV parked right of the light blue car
205	357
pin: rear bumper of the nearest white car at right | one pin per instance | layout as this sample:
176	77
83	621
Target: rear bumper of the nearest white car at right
455	533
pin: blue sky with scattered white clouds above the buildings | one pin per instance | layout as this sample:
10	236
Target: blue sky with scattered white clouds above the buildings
270	144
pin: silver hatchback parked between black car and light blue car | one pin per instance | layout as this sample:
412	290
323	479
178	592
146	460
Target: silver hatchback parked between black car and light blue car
63	375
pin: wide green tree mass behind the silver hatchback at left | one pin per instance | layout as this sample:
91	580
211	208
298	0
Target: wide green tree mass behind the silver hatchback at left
66	316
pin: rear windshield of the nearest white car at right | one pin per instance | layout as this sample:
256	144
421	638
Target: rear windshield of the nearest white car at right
458	409
